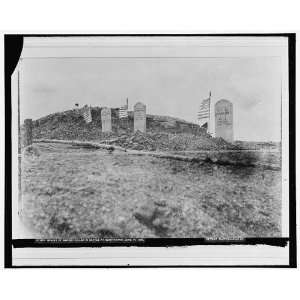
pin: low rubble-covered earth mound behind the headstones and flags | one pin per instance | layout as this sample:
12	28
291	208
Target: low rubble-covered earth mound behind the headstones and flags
163	132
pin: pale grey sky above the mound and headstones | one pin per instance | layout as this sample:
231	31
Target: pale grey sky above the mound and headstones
168	86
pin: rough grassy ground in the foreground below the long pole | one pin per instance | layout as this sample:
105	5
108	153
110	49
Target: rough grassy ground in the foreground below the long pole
82	193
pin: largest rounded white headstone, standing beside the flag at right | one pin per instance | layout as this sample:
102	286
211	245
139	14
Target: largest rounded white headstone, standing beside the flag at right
224	120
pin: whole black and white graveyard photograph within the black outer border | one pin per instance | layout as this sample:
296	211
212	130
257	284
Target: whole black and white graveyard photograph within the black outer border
174	149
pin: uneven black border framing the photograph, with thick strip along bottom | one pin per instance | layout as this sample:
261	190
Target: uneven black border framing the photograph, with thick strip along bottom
12	50
